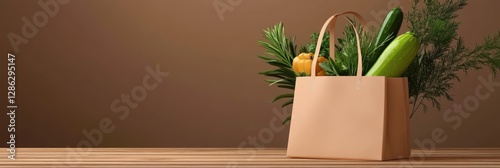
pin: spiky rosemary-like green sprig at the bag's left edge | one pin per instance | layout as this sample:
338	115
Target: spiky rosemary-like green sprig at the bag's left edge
282	50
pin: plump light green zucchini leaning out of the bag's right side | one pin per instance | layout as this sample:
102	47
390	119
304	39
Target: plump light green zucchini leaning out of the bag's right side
396	57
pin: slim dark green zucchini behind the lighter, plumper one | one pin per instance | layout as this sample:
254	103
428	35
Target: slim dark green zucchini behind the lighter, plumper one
388	30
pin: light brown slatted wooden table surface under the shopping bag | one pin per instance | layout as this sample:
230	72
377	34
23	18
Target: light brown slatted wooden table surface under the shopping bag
232	157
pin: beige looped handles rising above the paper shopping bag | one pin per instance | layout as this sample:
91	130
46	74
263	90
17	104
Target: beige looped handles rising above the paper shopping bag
331	23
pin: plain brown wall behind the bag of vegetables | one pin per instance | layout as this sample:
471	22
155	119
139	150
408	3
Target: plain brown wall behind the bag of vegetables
91	52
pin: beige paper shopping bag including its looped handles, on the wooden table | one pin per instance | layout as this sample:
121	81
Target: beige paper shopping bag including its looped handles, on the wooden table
349	117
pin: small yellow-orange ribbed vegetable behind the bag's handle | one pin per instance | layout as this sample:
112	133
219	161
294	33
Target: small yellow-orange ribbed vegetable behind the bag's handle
302	64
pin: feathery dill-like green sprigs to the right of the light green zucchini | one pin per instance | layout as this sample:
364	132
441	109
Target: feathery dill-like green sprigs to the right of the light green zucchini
443	53
